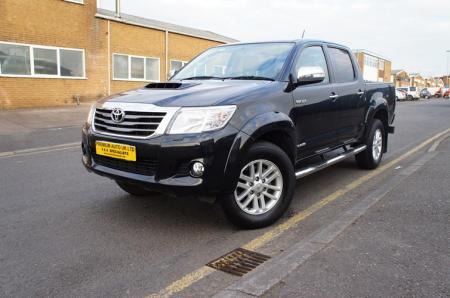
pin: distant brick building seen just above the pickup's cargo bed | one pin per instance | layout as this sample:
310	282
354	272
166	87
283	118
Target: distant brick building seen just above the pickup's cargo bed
374	67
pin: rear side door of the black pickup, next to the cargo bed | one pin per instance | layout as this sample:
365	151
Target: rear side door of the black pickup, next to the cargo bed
348	101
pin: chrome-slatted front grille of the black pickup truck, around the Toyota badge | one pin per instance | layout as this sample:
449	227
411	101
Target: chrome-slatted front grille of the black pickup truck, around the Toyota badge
134	124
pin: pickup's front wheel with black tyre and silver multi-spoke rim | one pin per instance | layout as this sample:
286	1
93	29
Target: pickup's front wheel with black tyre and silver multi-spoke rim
254	216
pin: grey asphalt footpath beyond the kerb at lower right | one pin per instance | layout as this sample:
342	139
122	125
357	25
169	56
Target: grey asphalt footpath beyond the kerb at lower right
398	248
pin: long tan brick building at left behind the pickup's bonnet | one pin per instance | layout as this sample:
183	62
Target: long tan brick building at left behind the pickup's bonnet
55	52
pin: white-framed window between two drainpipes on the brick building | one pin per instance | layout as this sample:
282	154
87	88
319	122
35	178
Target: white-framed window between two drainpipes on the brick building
135	68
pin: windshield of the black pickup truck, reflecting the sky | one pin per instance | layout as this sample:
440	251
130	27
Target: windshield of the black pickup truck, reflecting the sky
243	61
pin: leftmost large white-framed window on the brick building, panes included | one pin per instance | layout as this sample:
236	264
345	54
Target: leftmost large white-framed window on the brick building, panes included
22	60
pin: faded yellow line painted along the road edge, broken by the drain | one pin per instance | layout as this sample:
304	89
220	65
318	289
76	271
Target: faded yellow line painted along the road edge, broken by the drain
202	272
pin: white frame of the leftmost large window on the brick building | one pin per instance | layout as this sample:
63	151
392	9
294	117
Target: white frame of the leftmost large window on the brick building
58	62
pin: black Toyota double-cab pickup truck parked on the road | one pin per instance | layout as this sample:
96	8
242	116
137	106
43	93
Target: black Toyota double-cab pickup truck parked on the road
241	123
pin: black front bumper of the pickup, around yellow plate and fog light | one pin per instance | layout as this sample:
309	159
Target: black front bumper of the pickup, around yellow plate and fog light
163	162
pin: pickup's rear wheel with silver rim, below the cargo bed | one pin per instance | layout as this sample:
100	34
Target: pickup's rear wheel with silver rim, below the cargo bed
371	157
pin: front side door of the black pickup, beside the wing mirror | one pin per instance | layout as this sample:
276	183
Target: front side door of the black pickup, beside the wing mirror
311	112
